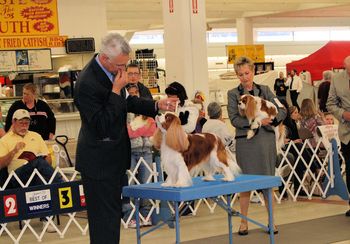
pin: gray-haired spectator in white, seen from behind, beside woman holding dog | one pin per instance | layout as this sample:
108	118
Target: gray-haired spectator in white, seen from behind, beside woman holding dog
216	125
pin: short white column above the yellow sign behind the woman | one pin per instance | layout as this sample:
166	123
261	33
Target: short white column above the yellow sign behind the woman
244	31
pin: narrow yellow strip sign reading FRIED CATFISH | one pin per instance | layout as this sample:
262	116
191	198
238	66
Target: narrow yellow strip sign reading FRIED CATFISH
26	42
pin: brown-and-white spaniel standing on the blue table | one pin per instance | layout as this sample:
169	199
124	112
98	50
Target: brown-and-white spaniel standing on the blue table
185	155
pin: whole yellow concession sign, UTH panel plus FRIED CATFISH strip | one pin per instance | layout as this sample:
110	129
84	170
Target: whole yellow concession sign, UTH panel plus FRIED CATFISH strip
29	24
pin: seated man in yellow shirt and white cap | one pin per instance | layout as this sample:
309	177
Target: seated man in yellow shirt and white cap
23	151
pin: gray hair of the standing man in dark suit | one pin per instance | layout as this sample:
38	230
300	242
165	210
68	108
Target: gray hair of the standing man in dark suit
113	44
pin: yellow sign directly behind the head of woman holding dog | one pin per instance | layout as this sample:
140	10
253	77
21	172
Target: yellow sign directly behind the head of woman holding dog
255	52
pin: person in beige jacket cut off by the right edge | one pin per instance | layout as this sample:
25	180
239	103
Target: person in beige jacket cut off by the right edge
338	104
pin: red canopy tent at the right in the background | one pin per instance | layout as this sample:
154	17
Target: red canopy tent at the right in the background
327	57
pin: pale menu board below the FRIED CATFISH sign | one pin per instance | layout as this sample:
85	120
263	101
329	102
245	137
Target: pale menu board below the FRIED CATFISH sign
25	60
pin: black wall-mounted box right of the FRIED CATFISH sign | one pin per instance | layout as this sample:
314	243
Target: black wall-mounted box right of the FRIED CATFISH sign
80	45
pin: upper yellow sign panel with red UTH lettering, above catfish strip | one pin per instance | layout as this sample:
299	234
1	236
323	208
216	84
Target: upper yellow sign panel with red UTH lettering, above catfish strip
28	17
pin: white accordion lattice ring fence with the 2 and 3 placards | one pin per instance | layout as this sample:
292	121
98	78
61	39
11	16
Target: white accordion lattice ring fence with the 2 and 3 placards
68	197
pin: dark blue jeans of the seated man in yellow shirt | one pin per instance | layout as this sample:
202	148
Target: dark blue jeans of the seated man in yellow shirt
24	172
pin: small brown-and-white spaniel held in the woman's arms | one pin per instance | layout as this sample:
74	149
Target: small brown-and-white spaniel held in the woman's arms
256	109
